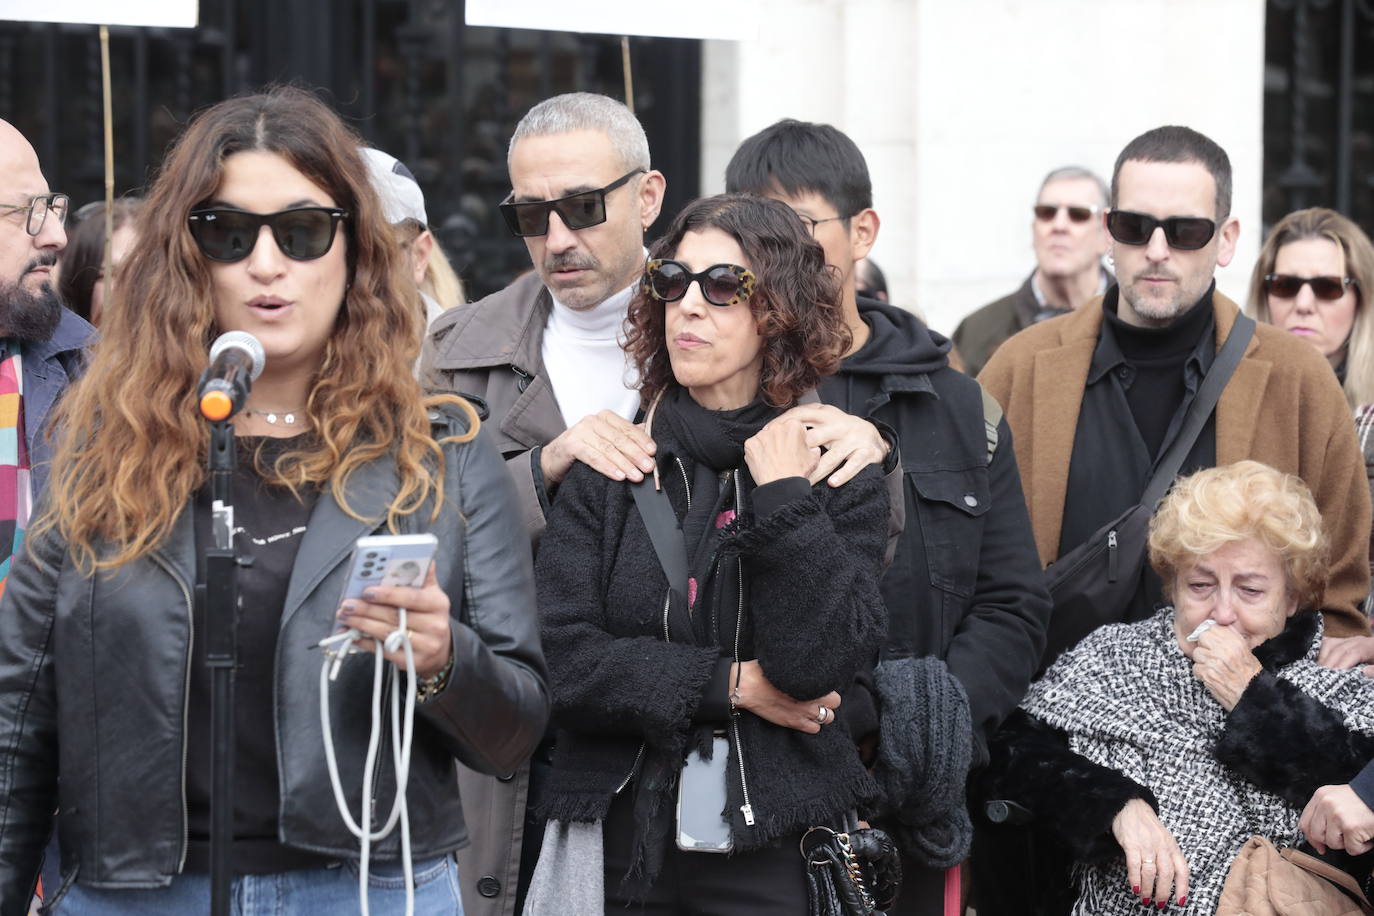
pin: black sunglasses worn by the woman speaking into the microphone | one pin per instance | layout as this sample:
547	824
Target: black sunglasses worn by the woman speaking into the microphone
303	234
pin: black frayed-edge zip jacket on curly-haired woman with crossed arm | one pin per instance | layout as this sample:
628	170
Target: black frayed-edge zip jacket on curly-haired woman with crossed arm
627	701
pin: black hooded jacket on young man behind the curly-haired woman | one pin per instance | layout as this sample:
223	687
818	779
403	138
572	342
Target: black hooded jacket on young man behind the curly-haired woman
967	584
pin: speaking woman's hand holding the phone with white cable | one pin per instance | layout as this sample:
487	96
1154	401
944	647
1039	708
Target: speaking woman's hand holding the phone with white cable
427	619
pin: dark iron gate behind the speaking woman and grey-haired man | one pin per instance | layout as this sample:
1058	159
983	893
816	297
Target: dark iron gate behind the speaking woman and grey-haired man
409	75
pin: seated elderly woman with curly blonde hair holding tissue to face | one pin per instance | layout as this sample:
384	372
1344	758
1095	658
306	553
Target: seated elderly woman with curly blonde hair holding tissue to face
1156	751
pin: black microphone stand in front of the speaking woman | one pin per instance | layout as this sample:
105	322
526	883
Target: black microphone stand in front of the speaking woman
219	601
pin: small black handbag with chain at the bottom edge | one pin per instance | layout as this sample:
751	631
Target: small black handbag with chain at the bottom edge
851	874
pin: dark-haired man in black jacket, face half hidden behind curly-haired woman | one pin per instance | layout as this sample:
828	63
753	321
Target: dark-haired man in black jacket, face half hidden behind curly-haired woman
965	586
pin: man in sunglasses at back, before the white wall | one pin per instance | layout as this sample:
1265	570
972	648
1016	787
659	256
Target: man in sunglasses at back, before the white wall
1070	242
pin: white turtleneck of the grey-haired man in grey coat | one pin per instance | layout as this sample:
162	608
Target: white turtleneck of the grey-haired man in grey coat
586	365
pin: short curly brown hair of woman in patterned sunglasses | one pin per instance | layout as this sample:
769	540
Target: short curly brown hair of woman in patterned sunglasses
796	300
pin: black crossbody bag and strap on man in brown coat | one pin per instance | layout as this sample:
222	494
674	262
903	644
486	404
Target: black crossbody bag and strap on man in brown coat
1093	584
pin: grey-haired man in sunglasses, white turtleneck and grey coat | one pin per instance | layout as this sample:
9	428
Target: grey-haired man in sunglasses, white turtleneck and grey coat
545	356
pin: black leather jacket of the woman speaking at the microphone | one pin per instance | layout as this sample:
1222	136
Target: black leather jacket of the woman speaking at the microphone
94	687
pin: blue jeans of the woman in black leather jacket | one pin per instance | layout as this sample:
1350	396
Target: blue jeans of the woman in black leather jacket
308	892
